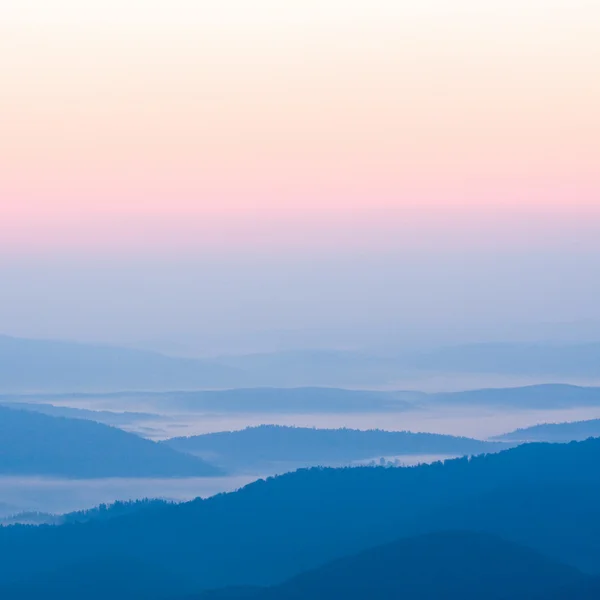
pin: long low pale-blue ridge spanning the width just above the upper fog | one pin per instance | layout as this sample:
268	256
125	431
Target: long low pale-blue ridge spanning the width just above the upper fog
311	400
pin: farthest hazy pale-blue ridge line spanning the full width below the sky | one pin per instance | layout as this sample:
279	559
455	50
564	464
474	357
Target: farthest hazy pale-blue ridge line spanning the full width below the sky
28	365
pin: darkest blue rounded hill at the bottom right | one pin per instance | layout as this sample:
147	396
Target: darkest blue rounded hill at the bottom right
444	566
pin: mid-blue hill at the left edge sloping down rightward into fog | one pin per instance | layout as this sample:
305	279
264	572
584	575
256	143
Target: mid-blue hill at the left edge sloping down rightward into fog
36	444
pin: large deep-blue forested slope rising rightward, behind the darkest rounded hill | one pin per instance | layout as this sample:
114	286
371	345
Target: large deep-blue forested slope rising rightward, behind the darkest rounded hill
544	496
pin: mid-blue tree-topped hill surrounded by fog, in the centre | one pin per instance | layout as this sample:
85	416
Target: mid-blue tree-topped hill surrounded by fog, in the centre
267	445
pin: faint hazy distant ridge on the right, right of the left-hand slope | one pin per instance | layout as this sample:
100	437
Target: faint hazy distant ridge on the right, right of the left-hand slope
335	367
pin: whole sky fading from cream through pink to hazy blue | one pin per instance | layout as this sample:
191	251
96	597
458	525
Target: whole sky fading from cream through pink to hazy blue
215	168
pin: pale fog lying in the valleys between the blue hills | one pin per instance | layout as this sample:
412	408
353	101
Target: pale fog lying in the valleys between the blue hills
147	416
